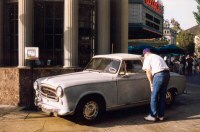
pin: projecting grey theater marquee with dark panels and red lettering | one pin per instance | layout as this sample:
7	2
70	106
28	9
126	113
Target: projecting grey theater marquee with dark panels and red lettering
145	19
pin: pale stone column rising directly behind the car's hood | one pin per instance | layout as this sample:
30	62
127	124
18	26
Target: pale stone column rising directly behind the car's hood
70	33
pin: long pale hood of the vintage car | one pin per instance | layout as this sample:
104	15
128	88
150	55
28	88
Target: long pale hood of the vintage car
78	78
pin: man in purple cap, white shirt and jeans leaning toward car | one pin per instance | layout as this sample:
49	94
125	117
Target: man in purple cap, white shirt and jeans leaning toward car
158	75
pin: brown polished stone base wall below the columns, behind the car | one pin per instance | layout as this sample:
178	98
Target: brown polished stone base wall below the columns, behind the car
16	84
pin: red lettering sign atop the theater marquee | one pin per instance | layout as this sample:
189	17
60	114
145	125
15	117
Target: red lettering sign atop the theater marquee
155	5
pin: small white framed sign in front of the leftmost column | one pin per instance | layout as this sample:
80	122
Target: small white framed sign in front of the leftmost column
31	53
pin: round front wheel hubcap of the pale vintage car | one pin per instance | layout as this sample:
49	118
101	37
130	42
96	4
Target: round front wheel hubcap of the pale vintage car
90	110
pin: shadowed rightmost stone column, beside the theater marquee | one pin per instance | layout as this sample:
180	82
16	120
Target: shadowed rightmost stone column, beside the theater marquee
119	27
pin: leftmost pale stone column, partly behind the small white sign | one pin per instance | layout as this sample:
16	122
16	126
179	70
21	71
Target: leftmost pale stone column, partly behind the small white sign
25	27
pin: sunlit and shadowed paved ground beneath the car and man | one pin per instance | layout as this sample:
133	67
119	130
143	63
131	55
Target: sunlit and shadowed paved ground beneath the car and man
184	116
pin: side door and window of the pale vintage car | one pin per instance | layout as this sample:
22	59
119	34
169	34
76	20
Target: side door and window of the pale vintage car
132	83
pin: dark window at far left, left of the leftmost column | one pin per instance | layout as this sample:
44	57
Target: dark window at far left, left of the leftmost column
11	34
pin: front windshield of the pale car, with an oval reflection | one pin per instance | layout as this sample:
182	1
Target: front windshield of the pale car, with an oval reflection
103	65
